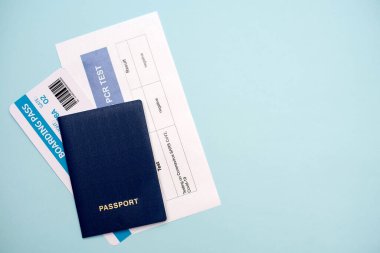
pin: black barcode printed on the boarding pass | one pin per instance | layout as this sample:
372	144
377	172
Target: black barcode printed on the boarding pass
63	94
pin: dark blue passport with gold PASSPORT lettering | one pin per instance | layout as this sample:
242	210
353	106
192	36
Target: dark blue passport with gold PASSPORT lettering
112	169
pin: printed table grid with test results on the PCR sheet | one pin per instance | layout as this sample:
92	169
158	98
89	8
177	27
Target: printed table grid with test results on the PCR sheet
135	80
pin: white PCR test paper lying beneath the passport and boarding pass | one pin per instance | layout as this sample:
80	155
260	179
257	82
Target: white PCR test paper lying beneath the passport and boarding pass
132	60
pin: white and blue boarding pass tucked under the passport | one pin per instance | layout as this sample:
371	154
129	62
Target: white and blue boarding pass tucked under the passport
37	111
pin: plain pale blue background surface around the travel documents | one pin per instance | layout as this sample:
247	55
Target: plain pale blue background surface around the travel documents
285	95
